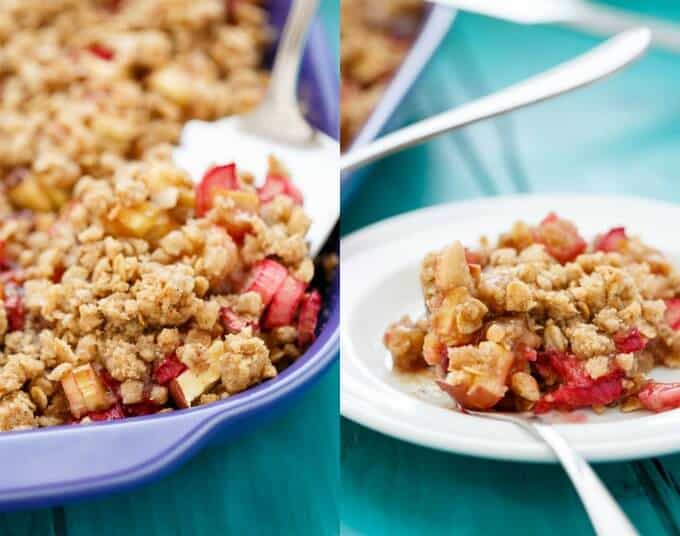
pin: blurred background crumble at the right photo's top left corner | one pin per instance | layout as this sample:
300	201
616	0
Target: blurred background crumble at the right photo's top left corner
375	38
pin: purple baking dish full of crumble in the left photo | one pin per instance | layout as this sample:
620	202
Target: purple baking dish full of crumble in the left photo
55	465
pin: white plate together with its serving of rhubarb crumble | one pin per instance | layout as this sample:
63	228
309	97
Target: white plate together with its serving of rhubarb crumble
570	316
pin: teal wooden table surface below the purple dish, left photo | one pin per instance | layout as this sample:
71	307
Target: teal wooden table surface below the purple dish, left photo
281	478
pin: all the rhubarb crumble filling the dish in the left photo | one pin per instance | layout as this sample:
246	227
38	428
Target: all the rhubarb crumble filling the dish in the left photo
124	289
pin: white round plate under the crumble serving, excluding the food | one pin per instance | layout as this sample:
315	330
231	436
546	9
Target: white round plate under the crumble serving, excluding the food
380	266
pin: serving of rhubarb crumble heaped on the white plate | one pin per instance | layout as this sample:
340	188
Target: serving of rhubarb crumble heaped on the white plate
546	321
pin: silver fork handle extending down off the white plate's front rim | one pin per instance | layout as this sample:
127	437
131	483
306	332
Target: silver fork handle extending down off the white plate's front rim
605	514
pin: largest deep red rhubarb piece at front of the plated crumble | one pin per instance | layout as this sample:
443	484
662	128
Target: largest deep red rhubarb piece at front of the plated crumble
601	391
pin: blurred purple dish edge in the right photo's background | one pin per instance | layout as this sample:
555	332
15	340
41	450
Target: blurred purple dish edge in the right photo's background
437	23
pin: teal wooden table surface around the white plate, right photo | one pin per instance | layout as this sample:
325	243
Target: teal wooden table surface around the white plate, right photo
621	136
